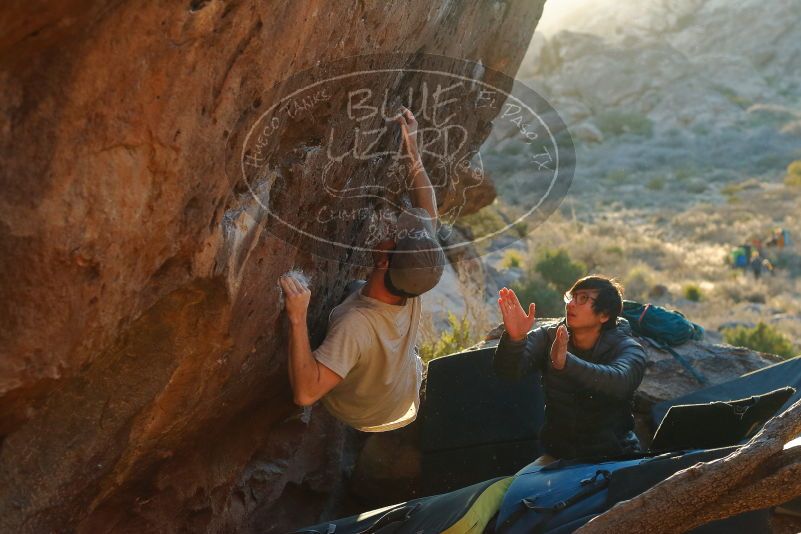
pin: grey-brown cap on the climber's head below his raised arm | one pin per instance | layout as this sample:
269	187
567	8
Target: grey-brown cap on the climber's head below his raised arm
417	262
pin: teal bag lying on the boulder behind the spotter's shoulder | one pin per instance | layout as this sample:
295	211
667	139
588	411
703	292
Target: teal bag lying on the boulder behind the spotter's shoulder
663	325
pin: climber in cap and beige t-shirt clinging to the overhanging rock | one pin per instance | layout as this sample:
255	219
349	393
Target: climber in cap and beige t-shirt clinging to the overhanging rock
367	371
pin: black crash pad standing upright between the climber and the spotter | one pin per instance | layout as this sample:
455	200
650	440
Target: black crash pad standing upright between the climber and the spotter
475	425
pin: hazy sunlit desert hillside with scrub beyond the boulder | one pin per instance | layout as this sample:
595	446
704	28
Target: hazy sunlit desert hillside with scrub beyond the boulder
686	118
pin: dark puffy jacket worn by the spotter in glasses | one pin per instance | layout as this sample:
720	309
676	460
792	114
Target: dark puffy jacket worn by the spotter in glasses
588	403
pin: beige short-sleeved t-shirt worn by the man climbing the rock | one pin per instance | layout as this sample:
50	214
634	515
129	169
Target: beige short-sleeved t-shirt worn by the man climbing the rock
371	345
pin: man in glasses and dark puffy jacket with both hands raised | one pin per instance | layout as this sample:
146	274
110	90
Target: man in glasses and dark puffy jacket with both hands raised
589	366
